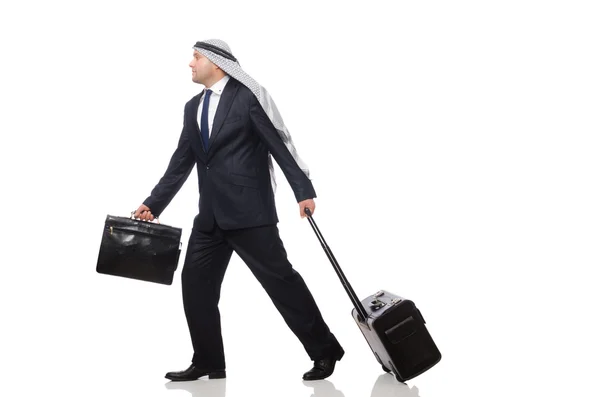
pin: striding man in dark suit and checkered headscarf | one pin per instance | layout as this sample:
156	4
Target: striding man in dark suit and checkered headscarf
230	131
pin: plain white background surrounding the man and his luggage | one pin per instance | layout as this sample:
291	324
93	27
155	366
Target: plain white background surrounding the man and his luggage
453	148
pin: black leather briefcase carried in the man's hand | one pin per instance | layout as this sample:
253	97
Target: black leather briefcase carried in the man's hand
141	250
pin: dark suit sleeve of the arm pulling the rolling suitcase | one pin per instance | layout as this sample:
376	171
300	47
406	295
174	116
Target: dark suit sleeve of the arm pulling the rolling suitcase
263	126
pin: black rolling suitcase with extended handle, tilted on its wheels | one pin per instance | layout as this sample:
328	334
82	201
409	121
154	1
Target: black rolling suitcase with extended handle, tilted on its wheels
393	326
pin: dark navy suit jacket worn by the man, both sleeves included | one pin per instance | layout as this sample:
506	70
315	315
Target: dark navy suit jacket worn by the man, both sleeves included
233	175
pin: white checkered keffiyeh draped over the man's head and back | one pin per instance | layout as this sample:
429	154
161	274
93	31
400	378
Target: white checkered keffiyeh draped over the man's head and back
233	69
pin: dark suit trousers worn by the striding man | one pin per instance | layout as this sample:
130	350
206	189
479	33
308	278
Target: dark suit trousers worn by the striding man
207	257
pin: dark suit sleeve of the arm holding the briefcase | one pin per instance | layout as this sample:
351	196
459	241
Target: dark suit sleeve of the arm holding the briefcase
180	166
